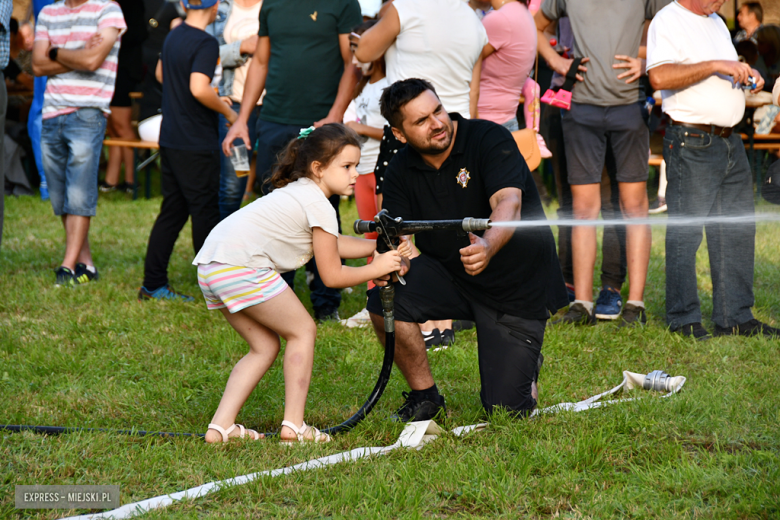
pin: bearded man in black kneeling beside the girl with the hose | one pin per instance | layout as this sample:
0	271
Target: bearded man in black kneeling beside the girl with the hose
506	280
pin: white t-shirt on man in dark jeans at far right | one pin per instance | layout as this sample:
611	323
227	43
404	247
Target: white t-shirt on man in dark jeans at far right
677	35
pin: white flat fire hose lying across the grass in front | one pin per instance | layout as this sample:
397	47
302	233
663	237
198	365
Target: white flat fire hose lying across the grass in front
415	435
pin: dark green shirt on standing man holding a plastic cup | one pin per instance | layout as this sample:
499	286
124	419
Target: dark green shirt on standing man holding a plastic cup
306	64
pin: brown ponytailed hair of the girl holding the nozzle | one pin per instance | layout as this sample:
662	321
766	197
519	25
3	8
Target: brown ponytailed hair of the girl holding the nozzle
322	145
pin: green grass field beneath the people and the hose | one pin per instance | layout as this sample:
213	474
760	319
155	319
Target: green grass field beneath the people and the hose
94	356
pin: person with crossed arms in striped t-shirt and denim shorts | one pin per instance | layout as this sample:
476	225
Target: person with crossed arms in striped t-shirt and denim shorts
76	46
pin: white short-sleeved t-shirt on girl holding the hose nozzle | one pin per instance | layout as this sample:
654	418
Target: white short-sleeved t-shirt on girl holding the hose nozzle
272	232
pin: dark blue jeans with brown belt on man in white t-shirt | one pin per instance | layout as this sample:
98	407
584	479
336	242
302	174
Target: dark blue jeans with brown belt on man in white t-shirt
708	176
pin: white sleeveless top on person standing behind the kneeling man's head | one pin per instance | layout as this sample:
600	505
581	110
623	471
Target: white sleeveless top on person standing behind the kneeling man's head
440	41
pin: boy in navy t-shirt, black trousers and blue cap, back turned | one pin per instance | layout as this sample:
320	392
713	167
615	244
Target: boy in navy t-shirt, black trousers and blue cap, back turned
189	144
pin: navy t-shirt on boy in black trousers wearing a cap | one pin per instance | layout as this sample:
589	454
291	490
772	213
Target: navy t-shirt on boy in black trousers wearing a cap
187	124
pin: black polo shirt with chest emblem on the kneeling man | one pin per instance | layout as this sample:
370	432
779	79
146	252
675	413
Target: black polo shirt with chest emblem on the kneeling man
524	278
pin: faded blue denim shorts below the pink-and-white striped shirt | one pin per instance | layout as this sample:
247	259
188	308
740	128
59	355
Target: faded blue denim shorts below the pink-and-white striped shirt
71	146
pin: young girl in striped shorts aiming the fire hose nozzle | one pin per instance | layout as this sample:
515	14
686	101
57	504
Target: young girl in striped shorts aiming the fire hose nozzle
240	262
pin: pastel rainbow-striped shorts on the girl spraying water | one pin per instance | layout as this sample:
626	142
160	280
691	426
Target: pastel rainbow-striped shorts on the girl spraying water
237	288
